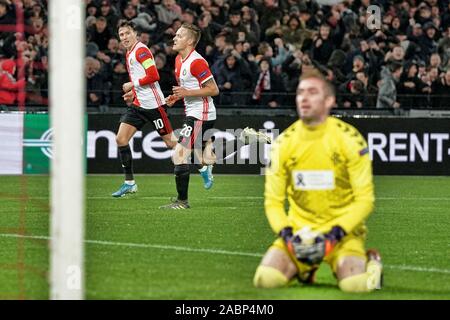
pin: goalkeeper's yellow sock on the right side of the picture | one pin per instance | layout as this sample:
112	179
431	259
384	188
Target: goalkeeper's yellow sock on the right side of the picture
364	282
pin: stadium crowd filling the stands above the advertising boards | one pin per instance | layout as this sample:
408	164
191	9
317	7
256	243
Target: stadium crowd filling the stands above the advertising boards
256	49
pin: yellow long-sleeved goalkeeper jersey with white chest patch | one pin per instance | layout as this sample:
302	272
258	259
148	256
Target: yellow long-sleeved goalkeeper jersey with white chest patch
326	174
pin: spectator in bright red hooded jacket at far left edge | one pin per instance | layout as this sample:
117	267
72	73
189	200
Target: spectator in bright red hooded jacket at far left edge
9	86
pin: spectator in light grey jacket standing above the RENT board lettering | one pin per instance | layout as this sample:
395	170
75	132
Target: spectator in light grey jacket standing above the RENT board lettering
387	95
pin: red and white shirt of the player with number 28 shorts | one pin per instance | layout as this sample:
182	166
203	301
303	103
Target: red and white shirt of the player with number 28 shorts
191	73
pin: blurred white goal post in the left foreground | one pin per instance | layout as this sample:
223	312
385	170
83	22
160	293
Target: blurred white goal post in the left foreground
67	109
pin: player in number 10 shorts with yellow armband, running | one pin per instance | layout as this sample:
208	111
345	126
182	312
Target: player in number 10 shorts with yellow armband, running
148	103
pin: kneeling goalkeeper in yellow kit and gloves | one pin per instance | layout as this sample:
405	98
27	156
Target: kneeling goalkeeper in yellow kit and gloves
323	166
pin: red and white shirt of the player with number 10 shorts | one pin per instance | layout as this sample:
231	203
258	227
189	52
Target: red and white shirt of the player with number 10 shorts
144	75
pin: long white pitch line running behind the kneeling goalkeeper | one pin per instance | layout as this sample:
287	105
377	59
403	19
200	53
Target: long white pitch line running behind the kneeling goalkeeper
212	251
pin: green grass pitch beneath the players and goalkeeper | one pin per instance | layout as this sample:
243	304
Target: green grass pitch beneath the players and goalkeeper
136	251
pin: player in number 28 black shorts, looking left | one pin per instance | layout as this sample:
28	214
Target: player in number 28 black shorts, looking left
196	87
